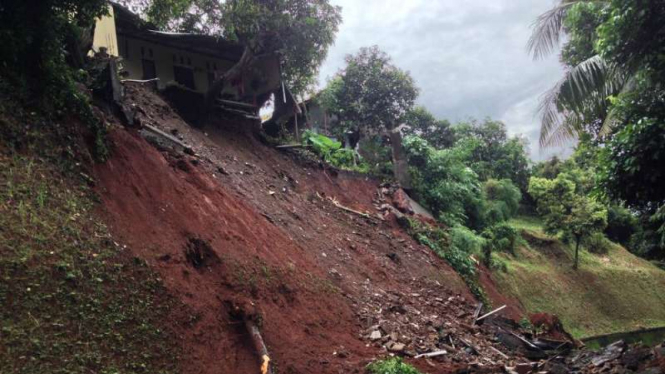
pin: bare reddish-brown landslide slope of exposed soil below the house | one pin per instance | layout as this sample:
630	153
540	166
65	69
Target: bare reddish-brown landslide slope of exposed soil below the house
241	225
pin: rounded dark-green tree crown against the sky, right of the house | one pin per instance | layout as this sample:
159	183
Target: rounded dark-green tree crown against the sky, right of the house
371	93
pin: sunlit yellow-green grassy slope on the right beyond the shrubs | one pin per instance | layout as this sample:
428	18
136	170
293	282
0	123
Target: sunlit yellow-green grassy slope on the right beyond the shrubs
609	293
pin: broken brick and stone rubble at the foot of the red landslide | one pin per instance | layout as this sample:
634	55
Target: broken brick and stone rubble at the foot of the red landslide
432	324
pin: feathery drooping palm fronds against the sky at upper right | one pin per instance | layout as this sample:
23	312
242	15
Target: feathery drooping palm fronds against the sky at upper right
579	99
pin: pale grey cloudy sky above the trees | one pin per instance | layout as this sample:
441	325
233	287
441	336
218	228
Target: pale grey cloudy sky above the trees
468	58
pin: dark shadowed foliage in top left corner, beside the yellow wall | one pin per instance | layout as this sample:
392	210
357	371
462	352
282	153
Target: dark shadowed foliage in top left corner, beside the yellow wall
40	57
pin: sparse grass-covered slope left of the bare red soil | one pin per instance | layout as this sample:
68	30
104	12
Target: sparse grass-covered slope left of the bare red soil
72	301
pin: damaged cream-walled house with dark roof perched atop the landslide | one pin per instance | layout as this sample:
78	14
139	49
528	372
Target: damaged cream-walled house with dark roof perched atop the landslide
183	65
